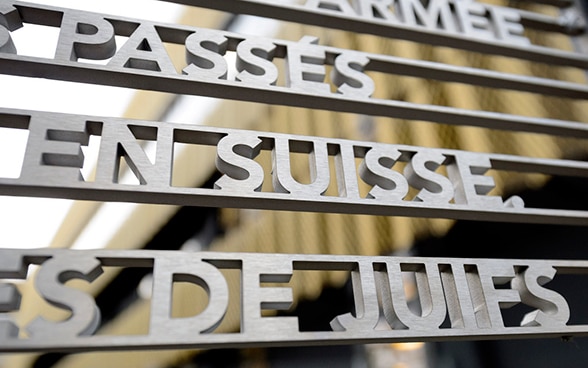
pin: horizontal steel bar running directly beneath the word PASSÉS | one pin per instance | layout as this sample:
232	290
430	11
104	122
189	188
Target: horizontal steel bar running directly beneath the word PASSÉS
143	79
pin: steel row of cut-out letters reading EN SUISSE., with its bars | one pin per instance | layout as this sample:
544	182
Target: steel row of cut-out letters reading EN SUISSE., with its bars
445	183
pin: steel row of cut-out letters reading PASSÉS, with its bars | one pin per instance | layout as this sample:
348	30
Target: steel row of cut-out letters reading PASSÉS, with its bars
205	73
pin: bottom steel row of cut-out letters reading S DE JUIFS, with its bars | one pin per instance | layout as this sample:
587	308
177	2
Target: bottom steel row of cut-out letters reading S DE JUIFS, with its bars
463	292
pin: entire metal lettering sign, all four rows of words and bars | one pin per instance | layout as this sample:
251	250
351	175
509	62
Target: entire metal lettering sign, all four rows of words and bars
457	298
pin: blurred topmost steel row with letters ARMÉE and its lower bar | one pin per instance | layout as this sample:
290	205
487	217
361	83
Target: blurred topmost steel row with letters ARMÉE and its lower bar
500	31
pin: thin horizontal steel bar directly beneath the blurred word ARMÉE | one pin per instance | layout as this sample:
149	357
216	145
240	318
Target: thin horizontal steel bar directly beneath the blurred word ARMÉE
337	20
